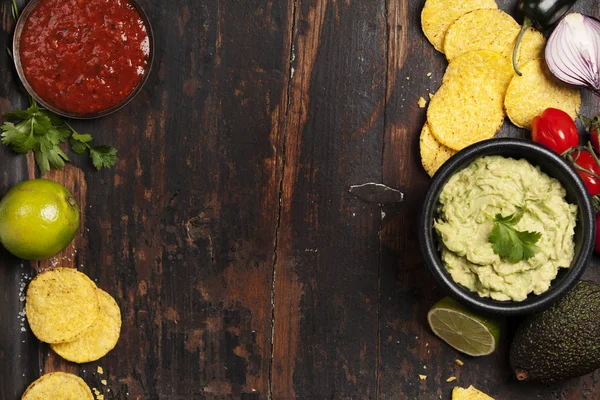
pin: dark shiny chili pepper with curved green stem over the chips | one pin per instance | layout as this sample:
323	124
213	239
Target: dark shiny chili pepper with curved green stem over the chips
541	14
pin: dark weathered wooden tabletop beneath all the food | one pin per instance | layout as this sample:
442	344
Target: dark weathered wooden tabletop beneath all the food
243	267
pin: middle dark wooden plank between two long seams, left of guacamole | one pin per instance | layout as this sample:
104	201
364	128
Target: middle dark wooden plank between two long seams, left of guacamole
327	248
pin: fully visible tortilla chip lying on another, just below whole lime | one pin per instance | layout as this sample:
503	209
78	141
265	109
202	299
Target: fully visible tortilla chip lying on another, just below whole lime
61	305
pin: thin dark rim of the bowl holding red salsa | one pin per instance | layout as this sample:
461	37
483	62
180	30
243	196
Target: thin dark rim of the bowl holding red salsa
21	73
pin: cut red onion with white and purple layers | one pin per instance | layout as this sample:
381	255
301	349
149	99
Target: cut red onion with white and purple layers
573	51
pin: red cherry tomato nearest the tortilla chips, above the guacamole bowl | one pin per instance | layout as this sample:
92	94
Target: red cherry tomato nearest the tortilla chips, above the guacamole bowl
556	130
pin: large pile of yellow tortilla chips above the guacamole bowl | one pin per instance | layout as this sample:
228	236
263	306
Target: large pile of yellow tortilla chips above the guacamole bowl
480	86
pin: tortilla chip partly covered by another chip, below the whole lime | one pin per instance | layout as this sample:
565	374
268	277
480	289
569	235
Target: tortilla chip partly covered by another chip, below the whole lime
99	339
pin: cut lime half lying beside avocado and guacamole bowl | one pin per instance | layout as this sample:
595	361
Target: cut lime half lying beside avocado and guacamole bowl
460	328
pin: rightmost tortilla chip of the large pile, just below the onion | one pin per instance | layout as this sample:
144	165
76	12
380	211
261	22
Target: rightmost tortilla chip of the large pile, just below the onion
529	95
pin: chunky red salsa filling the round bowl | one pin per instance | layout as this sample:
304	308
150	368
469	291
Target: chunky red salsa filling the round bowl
84	56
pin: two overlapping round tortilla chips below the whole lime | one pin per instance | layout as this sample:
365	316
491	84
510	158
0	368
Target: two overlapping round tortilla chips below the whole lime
65	308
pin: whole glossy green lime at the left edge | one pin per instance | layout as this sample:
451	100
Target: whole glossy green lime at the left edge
38	219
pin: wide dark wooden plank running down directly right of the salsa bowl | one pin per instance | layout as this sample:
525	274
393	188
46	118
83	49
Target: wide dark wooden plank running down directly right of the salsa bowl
191	231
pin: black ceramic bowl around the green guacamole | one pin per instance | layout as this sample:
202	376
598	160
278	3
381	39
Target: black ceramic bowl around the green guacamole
551	164
